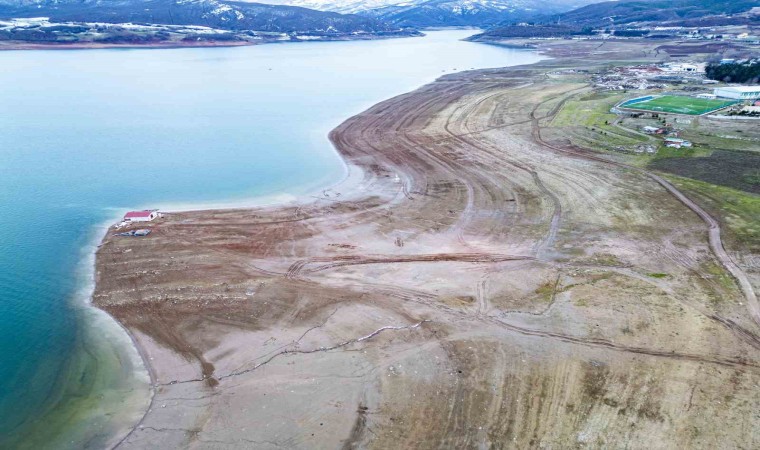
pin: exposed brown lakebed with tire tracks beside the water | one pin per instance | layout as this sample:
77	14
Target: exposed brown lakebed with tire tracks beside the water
478	288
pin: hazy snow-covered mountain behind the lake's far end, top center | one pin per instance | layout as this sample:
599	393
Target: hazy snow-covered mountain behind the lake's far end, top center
441	13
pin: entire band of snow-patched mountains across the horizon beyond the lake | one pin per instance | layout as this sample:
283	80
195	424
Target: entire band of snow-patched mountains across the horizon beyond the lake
337	19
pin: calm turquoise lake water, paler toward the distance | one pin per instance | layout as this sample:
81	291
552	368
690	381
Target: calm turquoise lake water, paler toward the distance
85	135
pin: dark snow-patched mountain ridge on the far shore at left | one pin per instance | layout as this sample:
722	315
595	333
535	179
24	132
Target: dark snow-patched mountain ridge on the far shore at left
217	14
